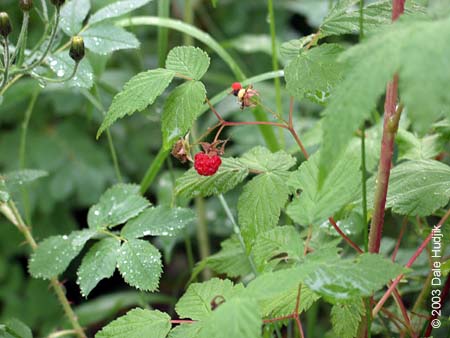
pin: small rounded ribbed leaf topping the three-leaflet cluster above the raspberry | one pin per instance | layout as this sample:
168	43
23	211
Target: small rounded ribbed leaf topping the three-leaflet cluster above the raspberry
188	61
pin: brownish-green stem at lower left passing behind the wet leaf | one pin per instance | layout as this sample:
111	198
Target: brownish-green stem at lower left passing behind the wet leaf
17	220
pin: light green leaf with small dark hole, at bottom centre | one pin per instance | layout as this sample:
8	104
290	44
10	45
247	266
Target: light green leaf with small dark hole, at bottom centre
196	303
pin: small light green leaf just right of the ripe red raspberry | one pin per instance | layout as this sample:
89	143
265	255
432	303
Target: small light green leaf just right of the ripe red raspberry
262	159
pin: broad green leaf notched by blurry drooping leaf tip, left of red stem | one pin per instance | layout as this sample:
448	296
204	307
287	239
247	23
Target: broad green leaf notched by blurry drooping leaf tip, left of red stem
315	205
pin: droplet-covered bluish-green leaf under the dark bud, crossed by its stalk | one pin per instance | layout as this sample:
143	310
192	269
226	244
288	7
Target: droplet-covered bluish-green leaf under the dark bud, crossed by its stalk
62	65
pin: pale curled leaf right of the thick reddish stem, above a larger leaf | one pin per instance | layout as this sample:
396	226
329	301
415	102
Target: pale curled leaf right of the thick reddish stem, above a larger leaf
412	147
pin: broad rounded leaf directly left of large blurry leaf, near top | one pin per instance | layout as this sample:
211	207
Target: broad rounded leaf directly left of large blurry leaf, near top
315	70
